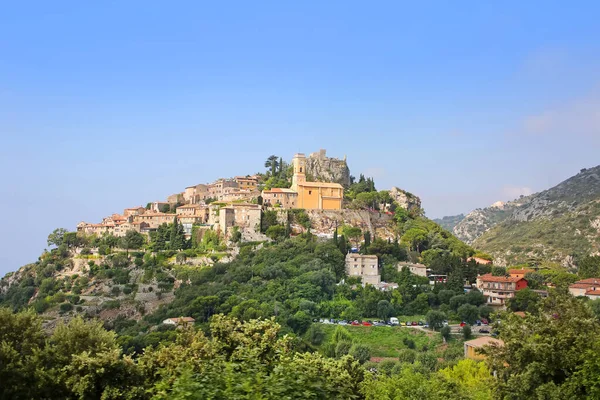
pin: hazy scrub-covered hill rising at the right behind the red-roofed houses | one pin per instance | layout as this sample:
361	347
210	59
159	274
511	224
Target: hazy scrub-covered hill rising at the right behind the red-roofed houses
551	225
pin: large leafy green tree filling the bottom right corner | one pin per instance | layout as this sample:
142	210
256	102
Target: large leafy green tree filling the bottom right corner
552	353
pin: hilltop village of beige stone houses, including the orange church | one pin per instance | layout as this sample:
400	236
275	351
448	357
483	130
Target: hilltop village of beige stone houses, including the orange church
227	203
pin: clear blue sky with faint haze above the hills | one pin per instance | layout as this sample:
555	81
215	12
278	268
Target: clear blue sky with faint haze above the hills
108	105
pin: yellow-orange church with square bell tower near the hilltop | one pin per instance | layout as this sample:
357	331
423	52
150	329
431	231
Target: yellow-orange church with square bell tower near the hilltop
303	194
